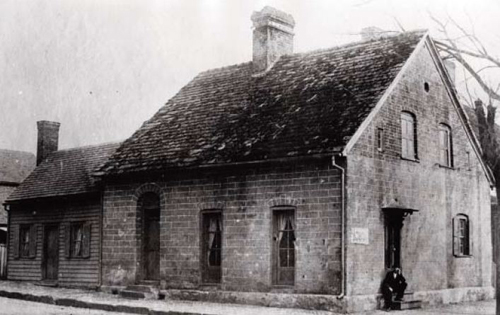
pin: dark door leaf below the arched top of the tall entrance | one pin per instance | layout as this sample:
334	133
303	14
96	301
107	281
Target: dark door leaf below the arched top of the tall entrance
151	249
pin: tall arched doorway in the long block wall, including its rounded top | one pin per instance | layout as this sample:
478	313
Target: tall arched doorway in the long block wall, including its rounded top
150	205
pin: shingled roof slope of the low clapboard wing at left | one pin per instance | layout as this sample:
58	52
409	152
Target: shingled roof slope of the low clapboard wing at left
65	172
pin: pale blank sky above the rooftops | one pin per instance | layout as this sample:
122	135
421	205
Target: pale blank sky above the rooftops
103	67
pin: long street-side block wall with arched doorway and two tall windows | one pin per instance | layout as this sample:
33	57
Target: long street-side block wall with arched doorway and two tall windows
246	197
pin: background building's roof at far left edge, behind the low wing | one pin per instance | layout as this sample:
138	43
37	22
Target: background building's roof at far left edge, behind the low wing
15	165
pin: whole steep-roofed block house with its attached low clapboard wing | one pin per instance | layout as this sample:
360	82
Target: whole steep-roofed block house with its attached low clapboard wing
294	180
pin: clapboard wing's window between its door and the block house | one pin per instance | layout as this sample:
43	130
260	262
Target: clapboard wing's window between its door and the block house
78	240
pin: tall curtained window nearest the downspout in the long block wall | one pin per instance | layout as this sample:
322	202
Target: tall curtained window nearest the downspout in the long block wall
284	246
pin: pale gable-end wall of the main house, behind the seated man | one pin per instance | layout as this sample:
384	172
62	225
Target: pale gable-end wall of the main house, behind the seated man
376	179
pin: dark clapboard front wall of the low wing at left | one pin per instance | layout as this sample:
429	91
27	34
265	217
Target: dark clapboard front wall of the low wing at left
72	271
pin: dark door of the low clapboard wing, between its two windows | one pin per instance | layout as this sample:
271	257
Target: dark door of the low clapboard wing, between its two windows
51	252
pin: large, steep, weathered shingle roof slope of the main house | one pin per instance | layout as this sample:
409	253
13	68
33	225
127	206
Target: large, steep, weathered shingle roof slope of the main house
305	104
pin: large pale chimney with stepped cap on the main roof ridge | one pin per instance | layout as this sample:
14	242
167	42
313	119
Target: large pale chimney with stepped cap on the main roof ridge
272	37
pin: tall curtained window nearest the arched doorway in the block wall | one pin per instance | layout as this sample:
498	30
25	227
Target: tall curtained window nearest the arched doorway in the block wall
212	246
